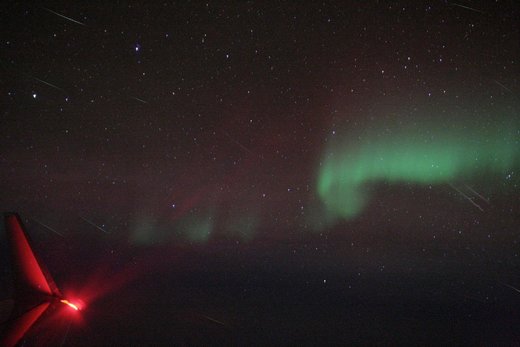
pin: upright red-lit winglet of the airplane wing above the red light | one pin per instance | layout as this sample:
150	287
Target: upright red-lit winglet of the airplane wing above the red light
29	274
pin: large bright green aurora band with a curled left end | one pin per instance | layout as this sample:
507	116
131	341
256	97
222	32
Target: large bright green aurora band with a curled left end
425	153
